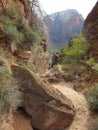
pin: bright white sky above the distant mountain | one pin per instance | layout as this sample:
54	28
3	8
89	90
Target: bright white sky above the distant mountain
82	6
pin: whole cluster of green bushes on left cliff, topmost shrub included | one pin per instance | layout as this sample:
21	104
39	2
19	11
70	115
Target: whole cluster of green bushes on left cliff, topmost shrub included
16	29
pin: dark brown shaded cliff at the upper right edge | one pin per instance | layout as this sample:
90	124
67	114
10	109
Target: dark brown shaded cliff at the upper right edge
90	31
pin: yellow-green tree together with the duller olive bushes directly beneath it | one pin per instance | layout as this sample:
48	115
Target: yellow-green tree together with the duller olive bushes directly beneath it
71	56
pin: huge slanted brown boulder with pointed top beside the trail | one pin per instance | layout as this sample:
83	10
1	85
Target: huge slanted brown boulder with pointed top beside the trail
49	109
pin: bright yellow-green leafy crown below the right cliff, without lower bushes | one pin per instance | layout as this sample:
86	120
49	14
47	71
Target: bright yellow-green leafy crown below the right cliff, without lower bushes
74	50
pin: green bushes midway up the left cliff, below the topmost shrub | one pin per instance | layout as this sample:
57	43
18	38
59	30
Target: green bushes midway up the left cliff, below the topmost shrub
23	38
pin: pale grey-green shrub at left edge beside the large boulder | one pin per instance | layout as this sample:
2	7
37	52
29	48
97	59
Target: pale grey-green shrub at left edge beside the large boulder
9	91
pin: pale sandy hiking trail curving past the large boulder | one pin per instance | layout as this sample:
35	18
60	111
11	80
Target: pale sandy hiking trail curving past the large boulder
81	119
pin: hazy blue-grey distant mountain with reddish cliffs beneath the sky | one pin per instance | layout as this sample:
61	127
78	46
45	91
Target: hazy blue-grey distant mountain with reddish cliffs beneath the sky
63	25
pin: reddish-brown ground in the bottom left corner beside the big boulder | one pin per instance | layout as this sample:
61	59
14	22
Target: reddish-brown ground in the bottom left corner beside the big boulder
16	121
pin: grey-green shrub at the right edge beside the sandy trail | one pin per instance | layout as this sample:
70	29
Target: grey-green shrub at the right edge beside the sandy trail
92	96
